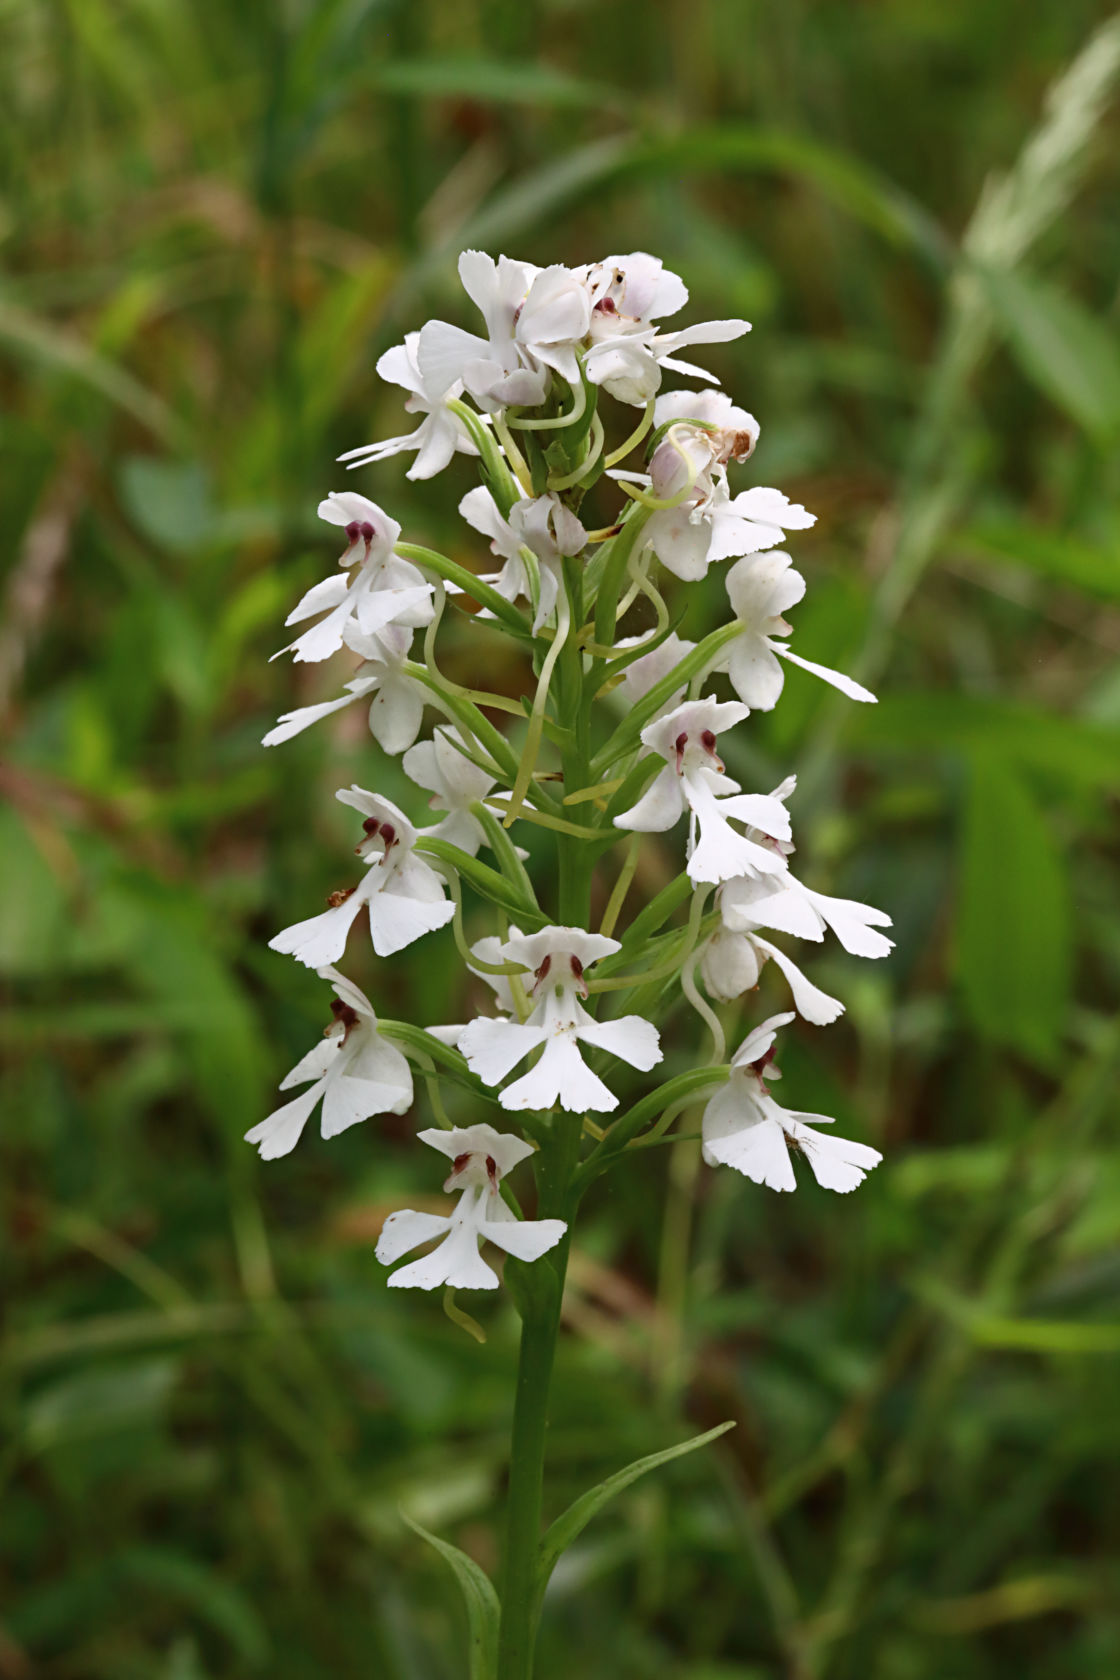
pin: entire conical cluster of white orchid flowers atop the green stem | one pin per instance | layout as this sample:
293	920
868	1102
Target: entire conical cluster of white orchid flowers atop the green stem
523	399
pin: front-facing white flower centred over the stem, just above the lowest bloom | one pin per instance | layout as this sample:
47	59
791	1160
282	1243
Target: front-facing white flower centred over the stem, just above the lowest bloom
558	1024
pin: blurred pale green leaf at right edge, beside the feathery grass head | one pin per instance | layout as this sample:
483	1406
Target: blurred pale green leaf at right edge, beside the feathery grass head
1067	352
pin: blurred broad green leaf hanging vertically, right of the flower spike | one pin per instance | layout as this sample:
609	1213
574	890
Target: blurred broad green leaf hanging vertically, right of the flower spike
1013	915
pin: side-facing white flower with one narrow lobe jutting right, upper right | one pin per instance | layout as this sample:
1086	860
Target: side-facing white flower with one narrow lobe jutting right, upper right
761	591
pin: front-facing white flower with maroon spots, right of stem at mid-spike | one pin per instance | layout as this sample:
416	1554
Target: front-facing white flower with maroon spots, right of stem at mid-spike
694	780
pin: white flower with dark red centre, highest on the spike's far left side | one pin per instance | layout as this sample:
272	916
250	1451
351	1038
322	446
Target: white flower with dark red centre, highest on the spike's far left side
384	591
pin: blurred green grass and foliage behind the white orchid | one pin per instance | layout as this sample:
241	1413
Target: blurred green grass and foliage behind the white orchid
214	219
